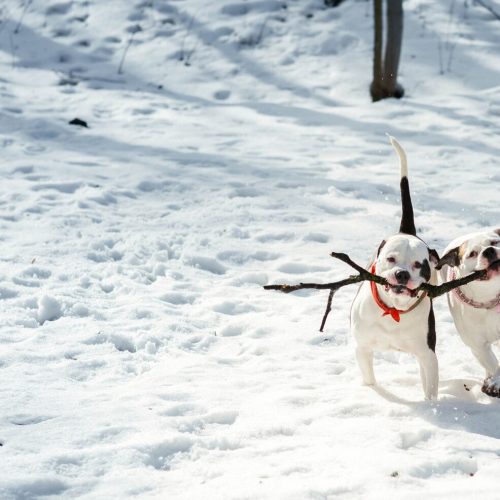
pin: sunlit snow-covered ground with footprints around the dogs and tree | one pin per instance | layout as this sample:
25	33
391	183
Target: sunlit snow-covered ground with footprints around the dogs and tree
231	144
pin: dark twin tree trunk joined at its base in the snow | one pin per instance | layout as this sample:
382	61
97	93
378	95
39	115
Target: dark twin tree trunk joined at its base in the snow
385	69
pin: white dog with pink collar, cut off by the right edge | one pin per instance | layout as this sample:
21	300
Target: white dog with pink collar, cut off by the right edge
476	307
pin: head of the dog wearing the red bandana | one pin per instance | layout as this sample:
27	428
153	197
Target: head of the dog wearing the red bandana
405	262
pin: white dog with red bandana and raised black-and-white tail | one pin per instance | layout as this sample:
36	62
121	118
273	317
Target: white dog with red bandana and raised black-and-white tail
393	317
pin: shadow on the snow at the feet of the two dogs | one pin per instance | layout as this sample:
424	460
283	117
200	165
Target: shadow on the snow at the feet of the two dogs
461	406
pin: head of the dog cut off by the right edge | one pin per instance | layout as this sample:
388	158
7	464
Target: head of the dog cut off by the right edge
476	252
